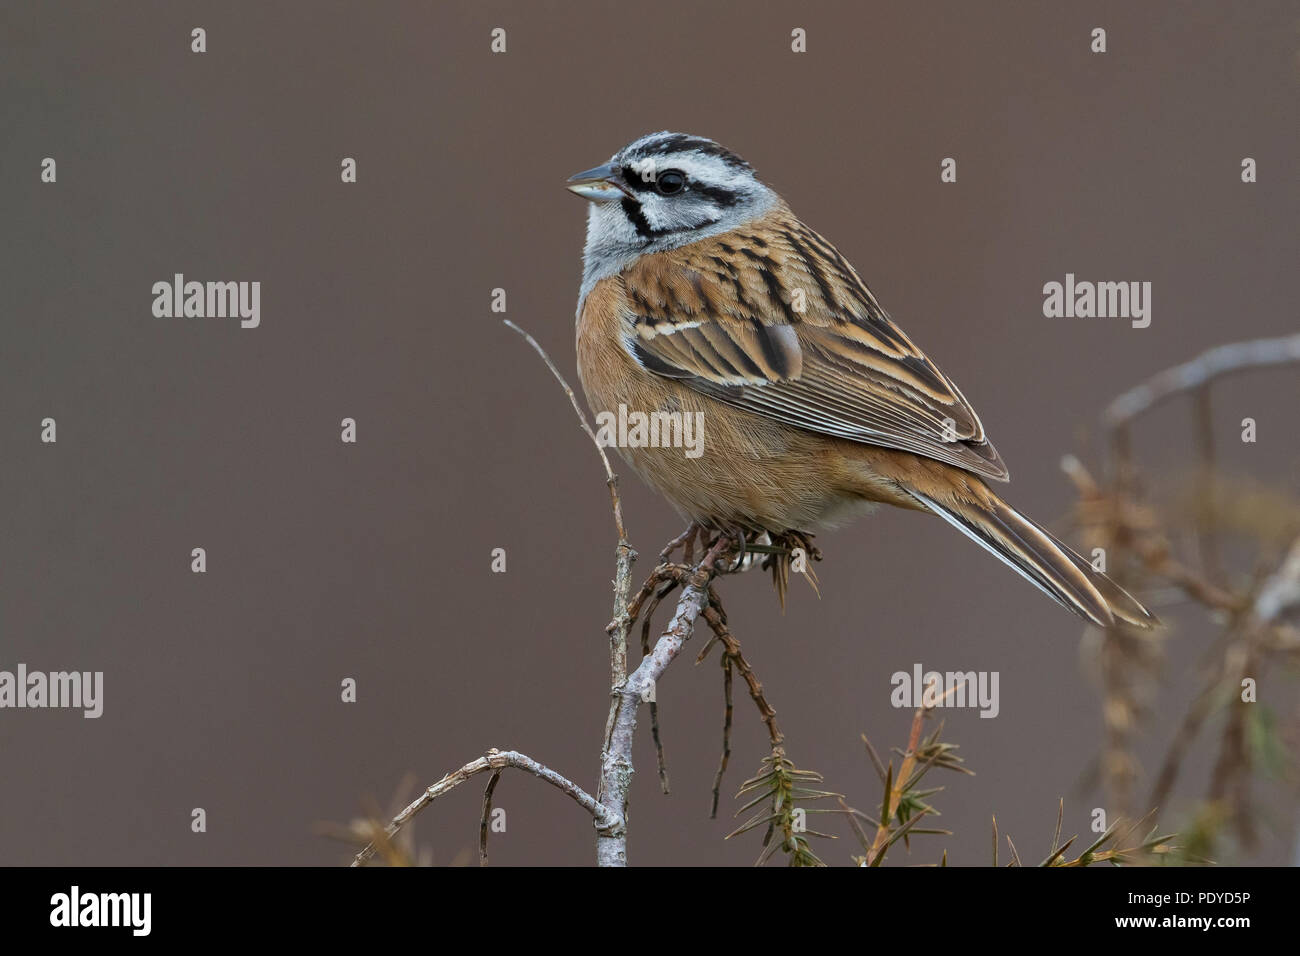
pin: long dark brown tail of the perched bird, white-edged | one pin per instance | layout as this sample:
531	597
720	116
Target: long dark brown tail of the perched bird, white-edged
1039	556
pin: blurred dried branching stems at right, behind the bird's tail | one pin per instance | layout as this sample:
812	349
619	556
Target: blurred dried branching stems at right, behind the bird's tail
1134	540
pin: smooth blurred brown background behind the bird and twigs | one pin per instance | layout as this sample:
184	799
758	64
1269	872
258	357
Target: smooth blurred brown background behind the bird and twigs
372	560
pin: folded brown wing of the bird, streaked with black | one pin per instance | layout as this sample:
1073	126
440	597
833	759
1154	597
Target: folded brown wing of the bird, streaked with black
775	322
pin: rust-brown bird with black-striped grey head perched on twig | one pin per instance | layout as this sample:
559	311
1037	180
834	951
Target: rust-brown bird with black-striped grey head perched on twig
705	296
